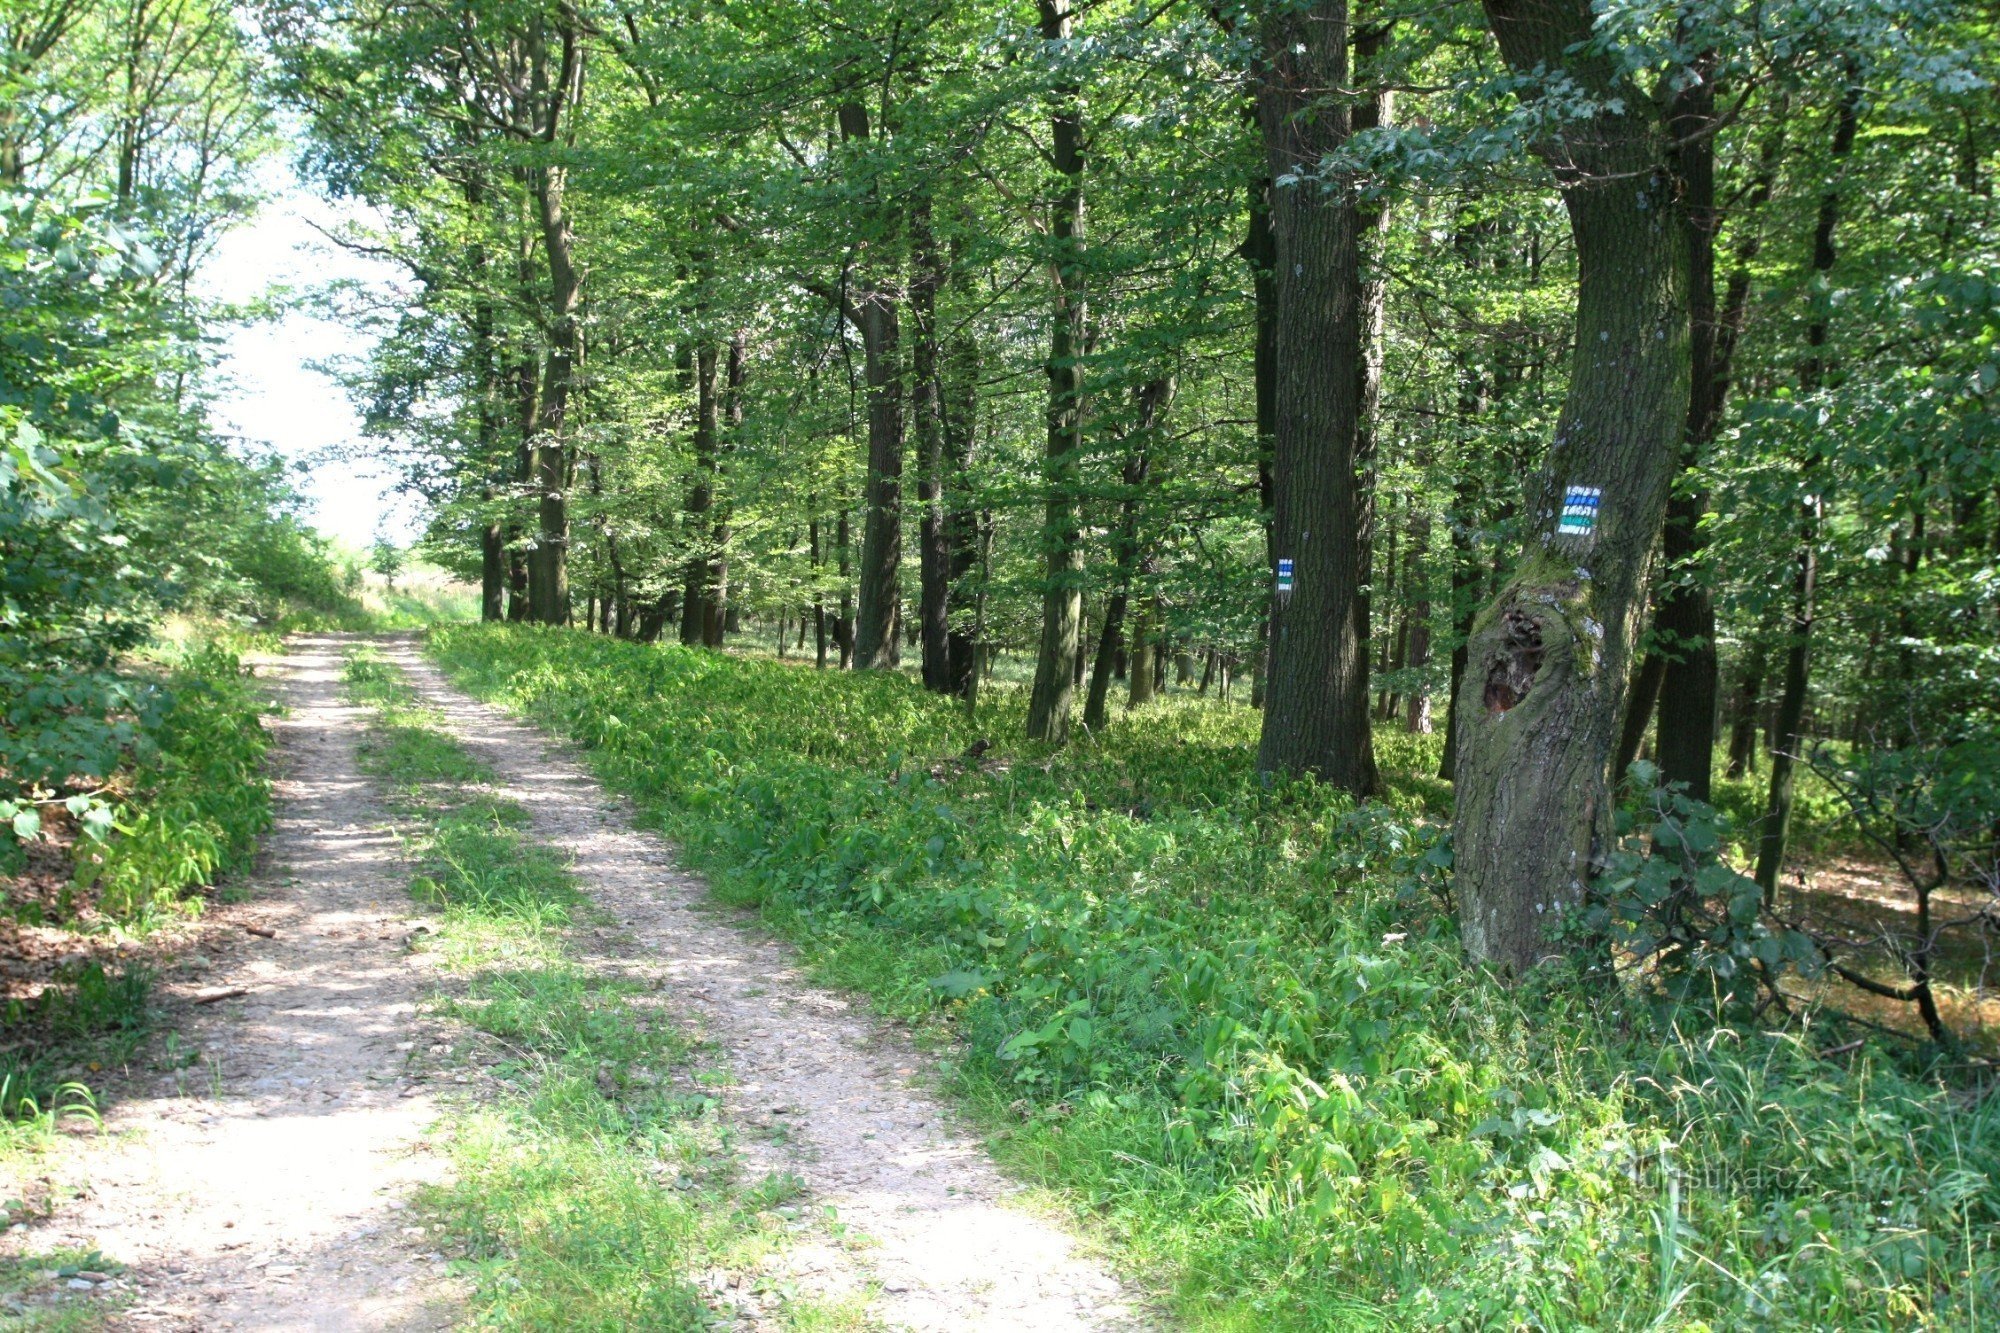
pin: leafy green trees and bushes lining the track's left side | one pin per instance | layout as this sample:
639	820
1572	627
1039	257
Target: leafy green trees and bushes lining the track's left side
119	499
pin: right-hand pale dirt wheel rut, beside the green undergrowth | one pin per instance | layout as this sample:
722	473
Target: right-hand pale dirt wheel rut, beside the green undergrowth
821	1088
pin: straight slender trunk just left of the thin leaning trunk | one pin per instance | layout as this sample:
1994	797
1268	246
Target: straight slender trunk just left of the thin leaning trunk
1063	553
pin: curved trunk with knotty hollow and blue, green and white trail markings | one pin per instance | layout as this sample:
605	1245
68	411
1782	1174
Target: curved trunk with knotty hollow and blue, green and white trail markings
1547	668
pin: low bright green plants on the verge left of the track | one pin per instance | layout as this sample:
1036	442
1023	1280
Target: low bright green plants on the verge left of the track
197	800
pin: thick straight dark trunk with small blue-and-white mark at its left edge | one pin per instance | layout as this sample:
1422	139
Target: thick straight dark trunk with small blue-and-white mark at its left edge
1317	672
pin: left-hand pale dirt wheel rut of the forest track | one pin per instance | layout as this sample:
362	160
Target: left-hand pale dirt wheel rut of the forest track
255	1174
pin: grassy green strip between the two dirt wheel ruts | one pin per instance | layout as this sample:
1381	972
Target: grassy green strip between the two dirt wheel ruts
597	1182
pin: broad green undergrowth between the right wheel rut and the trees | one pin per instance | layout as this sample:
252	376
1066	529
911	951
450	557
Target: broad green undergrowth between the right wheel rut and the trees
1235	1024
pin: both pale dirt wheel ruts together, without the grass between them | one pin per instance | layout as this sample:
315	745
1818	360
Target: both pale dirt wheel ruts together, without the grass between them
269	1170
